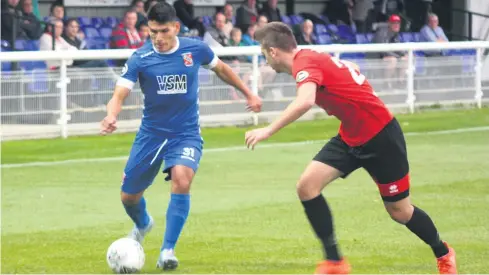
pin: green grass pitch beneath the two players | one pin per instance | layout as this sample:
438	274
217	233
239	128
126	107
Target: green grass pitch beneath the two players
245	216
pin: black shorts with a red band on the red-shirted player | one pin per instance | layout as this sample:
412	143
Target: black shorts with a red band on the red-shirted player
384	157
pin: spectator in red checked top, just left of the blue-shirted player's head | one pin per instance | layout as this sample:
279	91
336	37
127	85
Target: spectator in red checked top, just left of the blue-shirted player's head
125	35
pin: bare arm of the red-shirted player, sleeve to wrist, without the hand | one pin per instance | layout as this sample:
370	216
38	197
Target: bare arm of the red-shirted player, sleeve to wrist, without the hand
305	100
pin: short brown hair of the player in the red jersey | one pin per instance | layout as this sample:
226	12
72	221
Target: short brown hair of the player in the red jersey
276	35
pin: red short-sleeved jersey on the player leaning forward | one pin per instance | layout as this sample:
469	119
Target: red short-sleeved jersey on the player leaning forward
344	93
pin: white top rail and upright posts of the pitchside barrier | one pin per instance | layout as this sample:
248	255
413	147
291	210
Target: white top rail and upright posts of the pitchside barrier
476	76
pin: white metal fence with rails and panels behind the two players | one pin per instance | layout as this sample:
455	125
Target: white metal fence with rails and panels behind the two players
71	101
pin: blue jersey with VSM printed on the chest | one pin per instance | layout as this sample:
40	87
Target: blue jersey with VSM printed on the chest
169	82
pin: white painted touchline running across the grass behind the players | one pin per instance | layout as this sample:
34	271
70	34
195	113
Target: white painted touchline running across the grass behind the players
234	148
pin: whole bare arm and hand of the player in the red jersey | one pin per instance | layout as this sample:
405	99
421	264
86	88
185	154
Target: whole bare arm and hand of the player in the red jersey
305	100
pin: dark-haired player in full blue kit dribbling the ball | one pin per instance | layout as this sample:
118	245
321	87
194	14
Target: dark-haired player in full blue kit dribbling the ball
167	69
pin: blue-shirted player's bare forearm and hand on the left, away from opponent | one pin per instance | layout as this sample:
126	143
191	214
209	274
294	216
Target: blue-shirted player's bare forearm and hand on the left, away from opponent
114	107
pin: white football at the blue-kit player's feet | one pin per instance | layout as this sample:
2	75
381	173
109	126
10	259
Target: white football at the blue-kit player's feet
125	256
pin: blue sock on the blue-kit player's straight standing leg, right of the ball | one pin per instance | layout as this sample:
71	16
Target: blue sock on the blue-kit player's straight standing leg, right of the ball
176	215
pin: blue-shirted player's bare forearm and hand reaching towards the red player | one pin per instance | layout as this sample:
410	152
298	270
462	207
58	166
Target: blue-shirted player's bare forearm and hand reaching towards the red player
227	75
